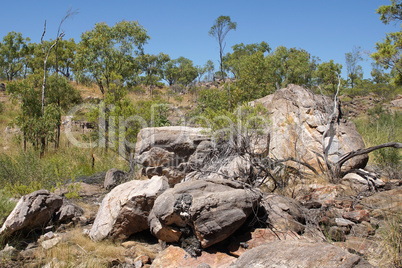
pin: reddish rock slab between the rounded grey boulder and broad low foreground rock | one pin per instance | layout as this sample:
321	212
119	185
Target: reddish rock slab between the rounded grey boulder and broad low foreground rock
258	237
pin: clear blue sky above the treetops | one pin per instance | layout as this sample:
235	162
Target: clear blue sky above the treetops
325	28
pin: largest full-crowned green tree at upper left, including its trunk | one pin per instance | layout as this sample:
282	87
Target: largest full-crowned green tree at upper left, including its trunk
109	56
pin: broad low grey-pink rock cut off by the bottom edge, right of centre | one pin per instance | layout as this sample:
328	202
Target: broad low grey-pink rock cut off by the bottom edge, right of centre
299	253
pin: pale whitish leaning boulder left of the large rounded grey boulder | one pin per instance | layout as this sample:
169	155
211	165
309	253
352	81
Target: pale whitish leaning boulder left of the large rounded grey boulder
124	211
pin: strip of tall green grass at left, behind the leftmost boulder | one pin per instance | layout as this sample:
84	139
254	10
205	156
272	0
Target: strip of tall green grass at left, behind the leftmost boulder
24	172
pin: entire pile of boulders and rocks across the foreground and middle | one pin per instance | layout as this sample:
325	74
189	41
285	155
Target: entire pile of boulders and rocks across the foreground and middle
217	218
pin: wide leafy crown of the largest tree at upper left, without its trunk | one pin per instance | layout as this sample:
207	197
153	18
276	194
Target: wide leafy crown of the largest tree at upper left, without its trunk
106	52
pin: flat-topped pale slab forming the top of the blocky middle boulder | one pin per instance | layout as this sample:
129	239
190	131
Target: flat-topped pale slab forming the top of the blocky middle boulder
180	140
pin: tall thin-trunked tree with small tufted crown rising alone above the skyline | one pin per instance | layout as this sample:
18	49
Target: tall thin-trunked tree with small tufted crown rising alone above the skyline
219	30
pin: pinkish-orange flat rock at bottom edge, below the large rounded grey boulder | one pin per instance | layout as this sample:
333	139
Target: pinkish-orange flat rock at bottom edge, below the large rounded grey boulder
173	257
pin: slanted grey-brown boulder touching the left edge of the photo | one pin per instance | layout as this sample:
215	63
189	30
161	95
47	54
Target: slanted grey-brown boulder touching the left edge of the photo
32	211
